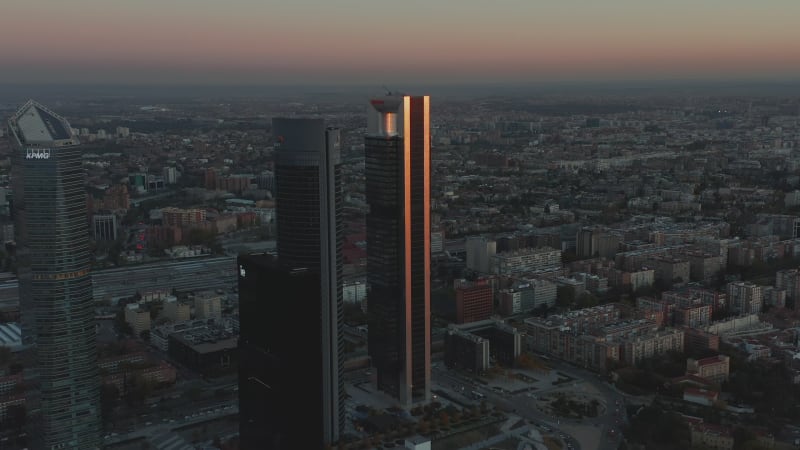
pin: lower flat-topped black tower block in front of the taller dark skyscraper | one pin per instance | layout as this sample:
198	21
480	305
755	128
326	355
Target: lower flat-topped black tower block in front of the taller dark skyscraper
282	373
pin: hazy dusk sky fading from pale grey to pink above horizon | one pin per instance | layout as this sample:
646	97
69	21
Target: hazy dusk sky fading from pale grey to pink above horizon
379	41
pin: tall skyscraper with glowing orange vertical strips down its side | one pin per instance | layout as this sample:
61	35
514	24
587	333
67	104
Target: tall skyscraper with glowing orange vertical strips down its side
398	167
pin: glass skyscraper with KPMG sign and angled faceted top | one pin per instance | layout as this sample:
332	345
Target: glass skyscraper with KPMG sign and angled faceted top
55	283
